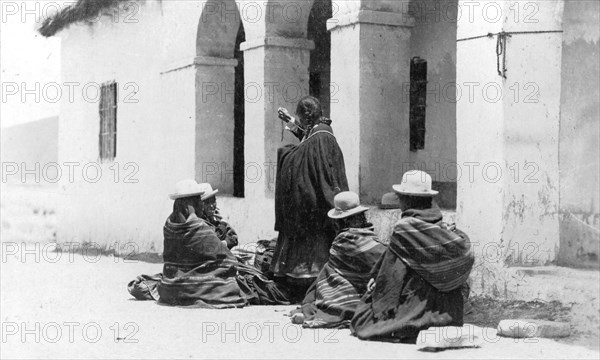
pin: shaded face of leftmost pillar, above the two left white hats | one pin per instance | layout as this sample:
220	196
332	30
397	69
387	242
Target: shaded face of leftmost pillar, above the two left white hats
215	87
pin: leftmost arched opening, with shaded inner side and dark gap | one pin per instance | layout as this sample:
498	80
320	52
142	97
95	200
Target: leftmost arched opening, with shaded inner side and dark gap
220	98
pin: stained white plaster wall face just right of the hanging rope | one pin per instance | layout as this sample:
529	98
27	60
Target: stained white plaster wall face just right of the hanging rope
531	135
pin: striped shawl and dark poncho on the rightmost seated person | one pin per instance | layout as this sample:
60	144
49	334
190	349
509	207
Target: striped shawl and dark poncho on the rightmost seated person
418	280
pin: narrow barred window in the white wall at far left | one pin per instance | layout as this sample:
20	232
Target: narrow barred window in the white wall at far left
108	121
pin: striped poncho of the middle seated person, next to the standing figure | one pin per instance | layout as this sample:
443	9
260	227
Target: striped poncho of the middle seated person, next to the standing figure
332	298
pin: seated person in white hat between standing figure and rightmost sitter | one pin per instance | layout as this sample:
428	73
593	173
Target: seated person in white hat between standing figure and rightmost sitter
332	298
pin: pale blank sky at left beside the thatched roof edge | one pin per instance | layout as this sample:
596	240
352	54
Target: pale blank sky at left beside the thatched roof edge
28	61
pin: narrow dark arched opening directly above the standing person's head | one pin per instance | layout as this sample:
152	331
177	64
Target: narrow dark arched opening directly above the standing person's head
320	57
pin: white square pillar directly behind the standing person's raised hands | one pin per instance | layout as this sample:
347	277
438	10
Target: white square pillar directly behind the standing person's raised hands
276	74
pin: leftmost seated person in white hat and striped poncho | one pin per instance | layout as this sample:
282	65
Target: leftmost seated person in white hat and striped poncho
199	270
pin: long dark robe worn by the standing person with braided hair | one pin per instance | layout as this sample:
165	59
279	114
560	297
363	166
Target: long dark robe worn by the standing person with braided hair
308	177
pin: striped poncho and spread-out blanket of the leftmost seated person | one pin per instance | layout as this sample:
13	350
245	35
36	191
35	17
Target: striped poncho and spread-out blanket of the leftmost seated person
200	271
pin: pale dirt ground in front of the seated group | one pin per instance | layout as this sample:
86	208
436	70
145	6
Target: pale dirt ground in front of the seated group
65	305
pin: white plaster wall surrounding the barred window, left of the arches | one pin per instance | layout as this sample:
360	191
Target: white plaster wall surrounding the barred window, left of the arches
155	135
